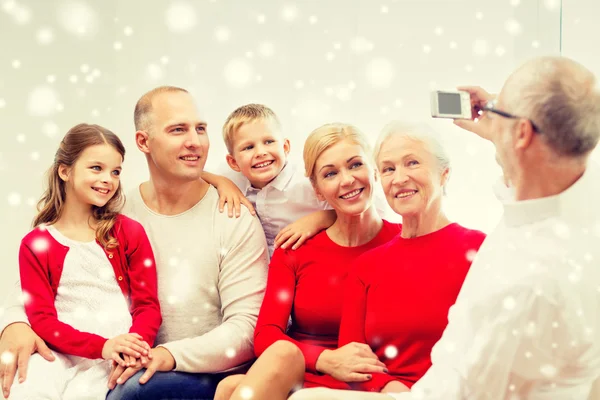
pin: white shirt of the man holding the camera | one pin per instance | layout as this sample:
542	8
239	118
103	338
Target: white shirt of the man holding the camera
526	324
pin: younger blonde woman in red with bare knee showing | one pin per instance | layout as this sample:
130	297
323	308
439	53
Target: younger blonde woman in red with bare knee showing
307	283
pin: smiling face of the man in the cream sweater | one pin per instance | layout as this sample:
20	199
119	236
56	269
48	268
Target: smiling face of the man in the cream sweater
177	142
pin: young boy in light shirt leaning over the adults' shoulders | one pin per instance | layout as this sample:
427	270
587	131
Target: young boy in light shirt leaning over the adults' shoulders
282	196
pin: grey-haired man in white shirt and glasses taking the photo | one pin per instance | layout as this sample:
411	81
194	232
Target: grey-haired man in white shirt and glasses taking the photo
526	322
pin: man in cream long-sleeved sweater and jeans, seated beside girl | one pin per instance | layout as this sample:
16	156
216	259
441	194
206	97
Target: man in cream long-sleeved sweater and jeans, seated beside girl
211	268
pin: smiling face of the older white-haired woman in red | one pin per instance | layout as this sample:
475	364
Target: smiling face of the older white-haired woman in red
410	175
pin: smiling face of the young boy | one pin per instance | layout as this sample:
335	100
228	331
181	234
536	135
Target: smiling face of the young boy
259	151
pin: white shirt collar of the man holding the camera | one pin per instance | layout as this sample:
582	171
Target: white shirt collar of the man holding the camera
570	202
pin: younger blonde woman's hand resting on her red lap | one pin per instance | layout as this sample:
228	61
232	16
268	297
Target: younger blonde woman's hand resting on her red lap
354	362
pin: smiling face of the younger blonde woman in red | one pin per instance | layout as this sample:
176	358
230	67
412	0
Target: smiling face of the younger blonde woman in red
344	178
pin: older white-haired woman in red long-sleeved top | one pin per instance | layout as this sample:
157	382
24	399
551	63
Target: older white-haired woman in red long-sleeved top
398	296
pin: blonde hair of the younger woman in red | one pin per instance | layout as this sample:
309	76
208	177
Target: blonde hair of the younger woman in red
326	136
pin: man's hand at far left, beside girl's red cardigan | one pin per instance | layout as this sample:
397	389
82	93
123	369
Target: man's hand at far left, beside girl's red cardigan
17	344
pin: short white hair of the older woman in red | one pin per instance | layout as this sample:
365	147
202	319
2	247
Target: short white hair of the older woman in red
418	132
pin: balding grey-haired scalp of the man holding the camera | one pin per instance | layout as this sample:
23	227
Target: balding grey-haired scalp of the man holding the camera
562	98
